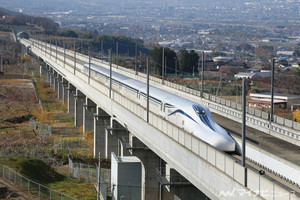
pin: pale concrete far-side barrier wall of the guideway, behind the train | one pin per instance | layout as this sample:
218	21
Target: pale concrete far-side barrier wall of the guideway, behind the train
281	128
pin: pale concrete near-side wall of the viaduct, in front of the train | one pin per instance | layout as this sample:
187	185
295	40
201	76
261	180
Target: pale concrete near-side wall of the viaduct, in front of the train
218	175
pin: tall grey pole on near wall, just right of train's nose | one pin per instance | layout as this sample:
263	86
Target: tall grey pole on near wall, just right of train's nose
244	130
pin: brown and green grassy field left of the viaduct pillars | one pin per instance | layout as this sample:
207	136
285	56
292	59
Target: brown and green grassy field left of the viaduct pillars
18	105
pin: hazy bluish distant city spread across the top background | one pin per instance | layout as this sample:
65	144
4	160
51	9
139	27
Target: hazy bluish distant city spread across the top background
178	24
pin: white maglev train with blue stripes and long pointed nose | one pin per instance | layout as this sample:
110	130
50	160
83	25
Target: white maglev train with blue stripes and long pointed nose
186	114
